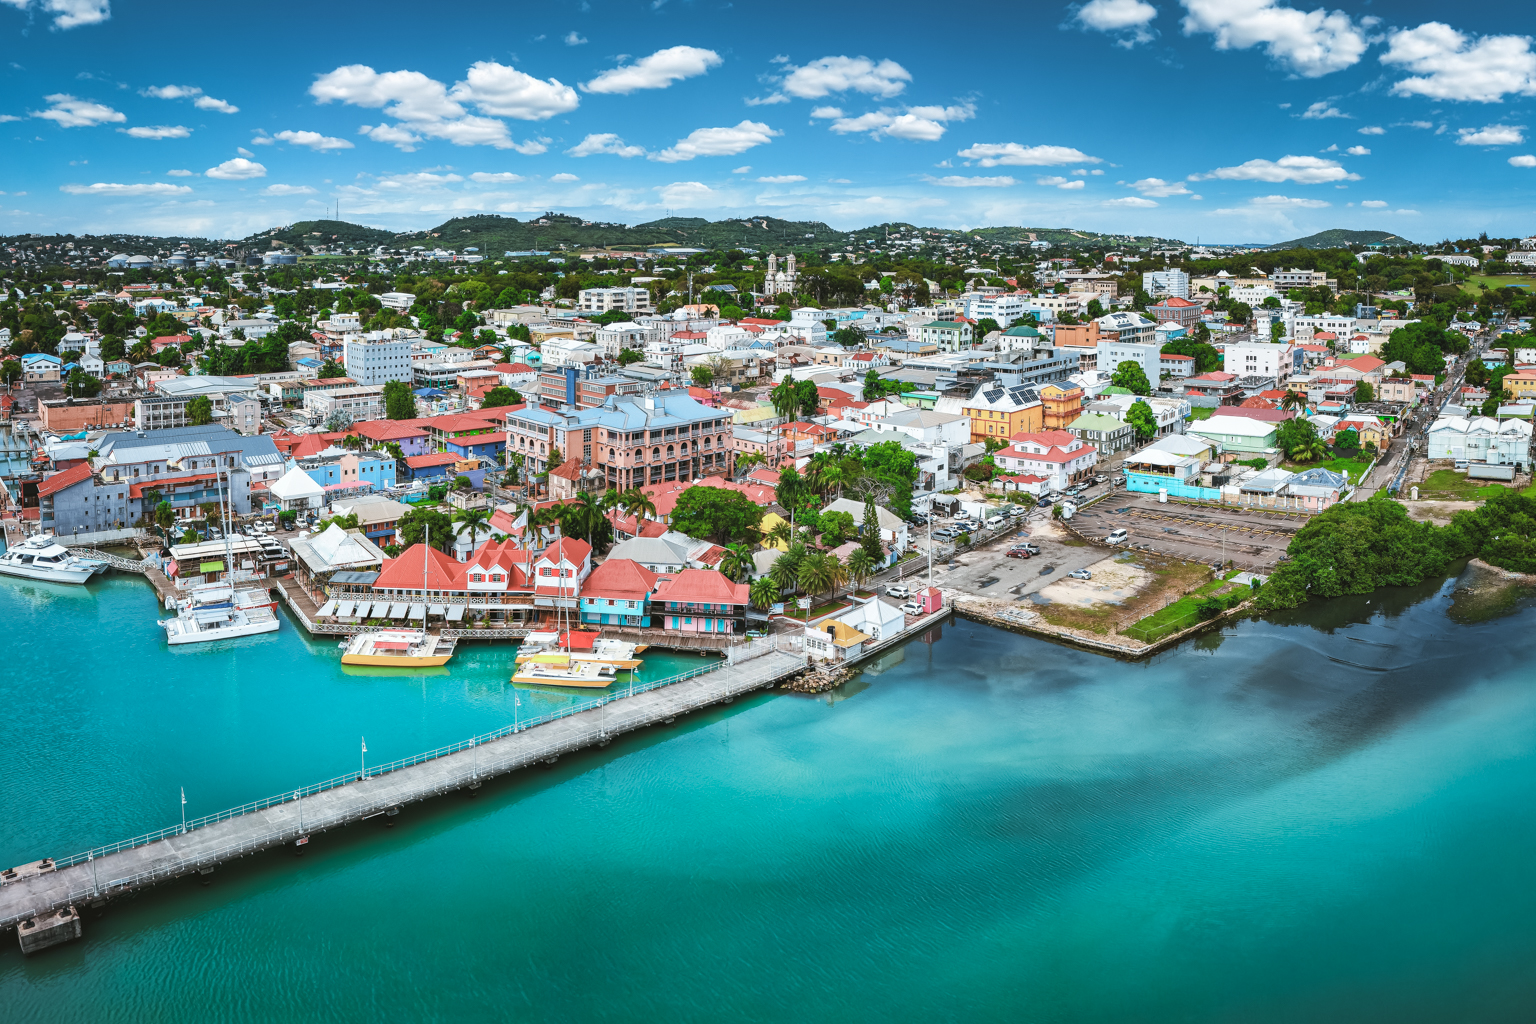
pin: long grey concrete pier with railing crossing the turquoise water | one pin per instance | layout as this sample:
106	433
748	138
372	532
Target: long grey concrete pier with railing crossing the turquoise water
41	899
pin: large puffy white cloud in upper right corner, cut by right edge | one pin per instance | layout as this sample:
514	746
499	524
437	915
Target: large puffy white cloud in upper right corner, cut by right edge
1452	67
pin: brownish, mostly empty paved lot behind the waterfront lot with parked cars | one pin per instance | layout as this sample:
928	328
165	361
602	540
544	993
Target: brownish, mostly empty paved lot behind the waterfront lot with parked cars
1251	538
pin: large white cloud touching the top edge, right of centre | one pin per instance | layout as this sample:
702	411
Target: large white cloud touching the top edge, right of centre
1309	44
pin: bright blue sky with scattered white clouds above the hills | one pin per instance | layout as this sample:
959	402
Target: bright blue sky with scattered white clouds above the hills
1223	121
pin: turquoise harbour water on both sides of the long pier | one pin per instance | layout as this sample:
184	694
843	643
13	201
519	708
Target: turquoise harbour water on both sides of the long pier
1326	818
